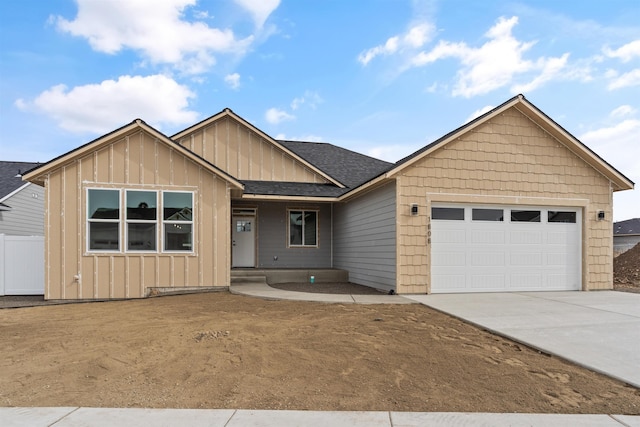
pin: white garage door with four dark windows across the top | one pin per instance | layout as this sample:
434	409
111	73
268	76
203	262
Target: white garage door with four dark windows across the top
504	248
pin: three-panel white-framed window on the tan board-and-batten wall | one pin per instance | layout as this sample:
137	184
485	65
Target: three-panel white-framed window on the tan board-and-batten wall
152	221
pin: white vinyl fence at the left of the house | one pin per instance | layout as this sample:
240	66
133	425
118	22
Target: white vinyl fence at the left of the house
21	265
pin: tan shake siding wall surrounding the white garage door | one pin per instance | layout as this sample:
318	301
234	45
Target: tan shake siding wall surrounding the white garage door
512	157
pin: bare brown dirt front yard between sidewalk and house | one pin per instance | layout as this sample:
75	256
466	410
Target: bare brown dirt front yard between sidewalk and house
219	350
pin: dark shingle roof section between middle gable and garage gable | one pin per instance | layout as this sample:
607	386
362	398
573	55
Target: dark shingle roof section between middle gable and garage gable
350	168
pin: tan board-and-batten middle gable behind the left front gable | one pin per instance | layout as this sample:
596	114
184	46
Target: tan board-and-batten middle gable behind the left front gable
245	154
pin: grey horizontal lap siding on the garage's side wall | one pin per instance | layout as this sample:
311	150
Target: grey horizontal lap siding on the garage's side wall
365	238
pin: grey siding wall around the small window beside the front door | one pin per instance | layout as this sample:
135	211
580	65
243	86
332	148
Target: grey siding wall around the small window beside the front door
272	235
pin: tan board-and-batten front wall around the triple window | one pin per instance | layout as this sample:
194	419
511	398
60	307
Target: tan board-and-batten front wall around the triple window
136	160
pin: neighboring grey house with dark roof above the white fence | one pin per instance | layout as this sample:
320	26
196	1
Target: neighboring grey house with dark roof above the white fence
21	203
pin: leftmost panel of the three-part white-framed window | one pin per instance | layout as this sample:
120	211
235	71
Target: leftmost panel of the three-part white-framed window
103	212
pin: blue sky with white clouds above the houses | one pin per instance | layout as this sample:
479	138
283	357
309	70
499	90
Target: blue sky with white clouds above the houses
382	77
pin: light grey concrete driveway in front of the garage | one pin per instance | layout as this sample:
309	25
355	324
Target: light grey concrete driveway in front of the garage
599	330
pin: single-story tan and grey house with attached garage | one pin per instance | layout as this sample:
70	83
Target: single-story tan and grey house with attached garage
508	202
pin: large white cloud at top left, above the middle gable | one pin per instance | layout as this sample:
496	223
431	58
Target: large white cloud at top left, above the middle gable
156	29
